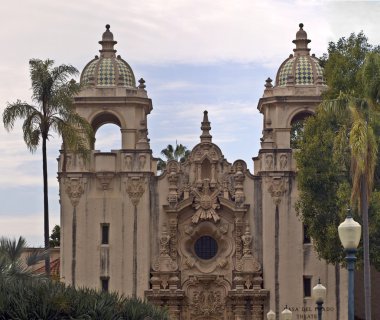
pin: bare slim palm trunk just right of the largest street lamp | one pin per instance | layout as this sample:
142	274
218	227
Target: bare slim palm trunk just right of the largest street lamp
367	267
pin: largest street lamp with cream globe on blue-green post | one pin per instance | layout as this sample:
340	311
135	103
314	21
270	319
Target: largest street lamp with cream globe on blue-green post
349	234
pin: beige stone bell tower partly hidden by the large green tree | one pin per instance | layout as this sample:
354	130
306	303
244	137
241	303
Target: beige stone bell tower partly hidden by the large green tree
294	96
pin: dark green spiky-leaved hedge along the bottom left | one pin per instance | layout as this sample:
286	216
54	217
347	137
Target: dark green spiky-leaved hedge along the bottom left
37	299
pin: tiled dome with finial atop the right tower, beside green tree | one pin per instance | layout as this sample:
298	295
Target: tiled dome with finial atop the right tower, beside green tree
301	68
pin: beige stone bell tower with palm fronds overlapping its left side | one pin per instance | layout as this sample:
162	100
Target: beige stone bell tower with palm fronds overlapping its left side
105	201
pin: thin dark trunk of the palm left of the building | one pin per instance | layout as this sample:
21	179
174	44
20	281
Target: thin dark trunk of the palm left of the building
46	206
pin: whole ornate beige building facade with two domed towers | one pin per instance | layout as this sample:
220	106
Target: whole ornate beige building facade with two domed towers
207	238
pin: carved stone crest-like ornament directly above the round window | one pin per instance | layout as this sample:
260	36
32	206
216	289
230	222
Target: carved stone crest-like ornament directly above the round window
206	203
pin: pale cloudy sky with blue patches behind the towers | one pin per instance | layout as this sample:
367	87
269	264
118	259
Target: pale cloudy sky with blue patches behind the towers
194	55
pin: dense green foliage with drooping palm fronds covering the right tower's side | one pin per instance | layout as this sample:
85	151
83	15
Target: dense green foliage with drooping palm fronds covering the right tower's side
339	146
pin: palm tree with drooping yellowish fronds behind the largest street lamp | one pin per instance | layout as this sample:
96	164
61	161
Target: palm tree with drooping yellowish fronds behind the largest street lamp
362	111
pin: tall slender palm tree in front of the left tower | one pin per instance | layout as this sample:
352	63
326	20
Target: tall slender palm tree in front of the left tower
52	94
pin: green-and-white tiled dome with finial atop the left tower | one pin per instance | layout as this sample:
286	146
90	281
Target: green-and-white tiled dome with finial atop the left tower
108	70
